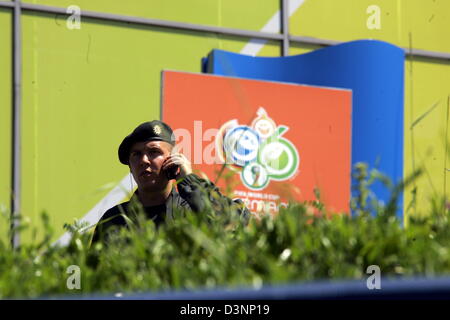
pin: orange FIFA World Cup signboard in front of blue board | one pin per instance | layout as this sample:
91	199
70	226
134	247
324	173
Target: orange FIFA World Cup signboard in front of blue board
265	142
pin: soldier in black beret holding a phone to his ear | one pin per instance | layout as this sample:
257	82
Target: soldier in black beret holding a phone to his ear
148	151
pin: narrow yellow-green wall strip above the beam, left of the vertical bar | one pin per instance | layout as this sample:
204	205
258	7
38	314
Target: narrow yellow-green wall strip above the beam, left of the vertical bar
250	14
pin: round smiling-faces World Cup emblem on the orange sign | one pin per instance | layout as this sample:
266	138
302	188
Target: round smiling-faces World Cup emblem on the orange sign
258	152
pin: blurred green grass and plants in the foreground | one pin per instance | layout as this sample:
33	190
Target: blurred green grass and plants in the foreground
207	250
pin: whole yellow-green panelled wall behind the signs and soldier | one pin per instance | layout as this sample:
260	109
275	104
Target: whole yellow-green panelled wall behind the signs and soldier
84	90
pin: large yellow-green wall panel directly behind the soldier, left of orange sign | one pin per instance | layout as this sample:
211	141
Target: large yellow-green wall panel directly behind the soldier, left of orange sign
84	90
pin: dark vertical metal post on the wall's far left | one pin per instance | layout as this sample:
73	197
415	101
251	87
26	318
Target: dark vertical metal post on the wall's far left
16	123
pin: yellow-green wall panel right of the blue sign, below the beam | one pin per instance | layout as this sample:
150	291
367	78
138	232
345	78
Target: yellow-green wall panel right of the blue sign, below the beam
427	91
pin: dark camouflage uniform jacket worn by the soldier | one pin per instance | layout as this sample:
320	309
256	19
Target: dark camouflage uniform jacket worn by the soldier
192	195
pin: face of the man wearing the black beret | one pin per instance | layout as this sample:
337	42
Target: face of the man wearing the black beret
146	159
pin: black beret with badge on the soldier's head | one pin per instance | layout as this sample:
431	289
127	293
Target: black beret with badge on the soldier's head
148	131
